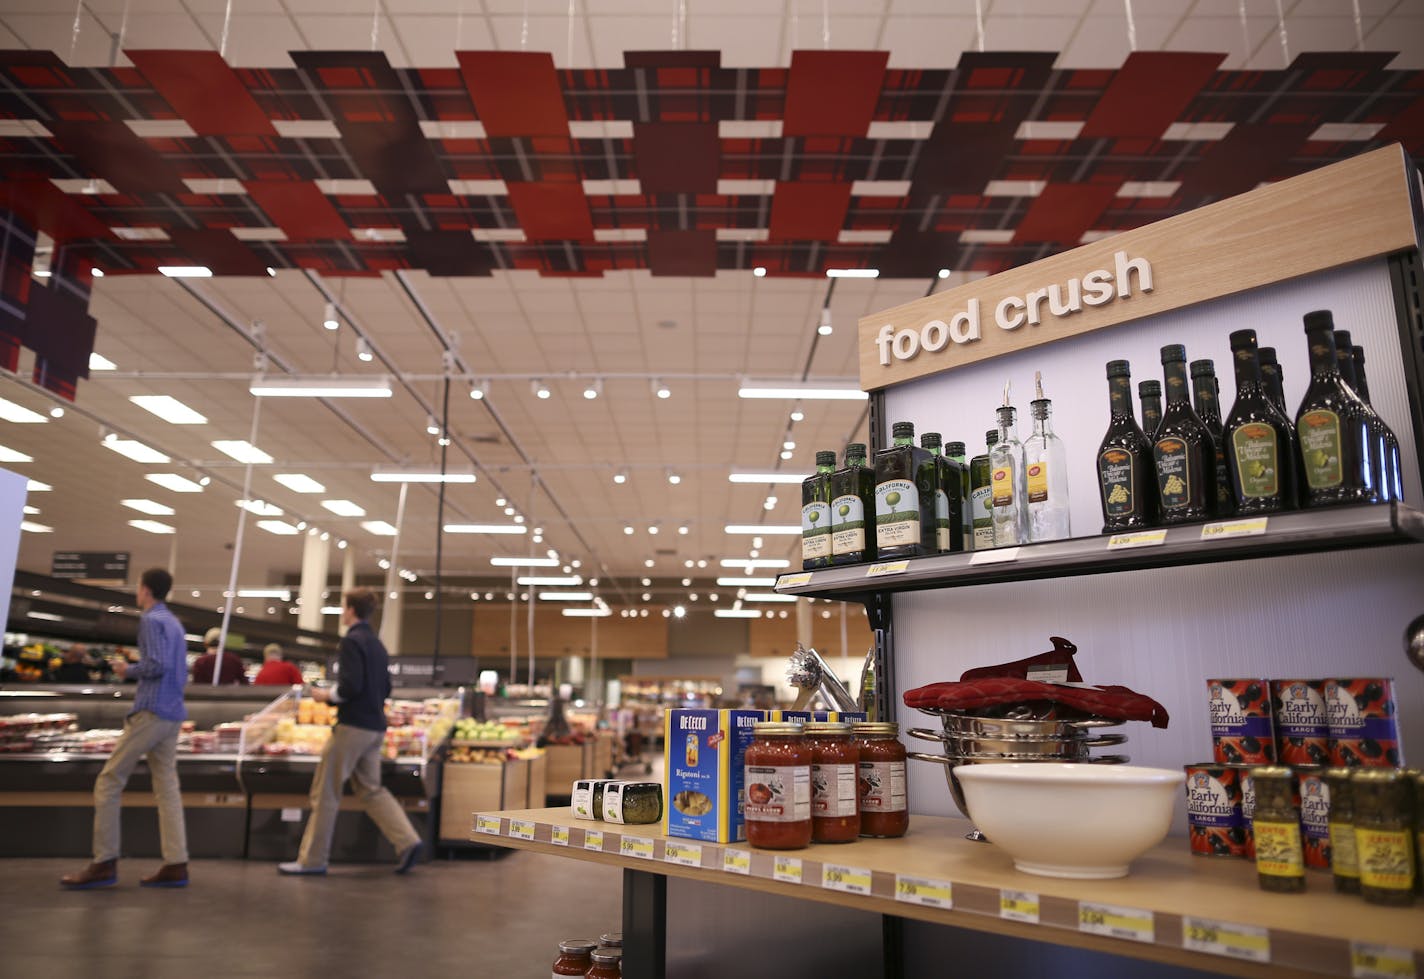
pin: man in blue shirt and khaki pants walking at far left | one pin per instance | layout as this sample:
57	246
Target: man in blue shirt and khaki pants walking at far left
150	732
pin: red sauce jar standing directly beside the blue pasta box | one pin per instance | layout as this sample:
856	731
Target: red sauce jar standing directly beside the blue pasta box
778	788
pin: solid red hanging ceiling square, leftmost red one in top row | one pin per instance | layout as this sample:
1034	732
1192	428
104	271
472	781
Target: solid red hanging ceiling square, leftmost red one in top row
206	92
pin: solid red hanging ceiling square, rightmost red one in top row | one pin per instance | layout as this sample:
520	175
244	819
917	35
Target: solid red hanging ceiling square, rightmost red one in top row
1148	93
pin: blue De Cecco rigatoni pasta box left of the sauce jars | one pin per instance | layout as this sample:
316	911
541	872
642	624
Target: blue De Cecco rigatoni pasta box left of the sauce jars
706	768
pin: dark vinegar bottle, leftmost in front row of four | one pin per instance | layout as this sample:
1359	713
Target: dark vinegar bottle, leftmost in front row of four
1127	485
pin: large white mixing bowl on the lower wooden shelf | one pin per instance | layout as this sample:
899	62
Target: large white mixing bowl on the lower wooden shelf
1072	820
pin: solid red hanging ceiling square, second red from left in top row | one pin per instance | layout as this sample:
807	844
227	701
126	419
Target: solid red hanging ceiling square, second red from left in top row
516	93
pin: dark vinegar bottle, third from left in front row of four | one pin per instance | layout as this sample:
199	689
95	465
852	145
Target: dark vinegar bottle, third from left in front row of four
1261	442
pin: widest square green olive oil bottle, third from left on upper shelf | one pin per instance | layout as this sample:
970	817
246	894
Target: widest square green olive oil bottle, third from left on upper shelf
906	480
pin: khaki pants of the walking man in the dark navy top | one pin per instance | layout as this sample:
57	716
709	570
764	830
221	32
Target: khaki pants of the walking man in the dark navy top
352	753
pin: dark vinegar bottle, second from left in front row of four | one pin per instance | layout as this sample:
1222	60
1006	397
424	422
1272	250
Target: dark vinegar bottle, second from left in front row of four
1183	449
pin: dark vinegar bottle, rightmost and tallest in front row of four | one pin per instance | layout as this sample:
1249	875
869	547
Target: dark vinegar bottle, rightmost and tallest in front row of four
1332	428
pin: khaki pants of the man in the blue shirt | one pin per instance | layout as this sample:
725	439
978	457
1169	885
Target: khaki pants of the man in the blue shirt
146	736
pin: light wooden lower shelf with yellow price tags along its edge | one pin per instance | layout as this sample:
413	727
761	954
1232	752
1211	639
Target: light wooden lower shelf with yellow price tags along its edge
1318	933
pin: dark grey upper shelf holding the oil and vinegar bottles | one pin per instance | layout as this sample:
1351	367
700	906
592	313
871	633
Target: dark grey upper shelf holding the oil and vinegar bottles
1234	540
